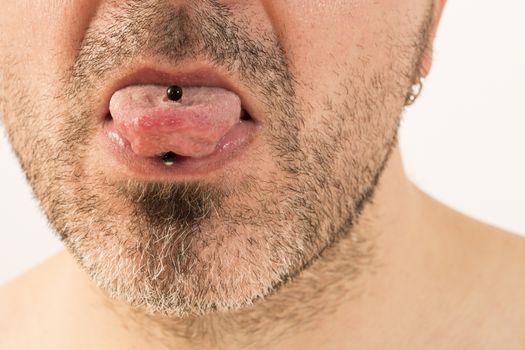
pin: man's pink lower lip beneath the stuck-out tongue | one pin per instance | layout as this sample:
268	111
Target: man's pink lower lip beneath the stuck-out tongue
121	160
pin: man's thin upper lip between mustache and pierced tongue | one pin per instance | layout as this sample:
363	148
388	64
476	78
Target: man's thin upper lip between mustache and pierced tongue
184	74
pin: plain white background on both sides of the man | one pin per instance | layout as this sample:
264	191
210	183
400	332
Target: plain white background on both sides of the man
463	142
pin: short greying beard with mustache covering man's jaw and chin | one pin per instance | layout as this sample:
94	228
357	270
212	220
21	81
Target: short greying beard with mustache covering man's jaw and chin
190	248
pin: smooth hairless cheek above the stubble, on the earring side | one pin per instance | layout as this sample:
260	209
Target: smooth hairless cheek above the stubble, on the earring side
327	40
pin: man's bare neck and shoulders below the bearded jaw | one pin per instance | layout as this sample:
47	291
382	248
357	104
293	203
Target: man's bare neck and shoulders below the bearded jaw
440	281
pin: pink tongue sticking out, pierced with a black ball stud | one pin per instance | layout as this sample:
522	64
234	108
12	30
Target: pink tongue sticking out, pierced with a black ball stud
192	126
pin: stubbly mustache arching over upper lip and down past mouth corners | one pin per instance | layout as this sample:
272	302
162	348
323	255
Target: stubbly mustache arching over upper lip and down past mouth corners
196	30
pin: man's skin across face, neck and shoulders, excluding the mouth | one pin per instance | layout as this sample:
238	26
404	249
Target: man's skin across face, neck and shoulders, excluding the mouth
317	241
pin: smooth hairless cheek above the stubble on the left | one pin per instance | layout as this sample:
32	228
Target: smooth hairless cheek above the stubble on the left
40	38
